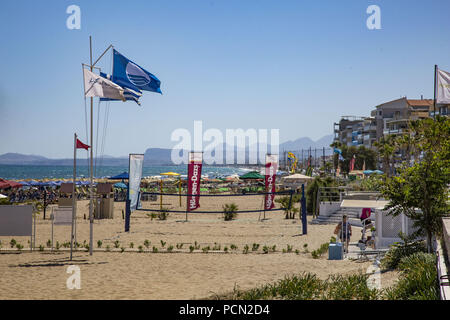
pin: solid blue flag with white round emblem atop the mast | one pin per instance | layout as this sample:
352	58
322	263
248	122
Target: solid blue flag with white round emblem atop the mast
127	74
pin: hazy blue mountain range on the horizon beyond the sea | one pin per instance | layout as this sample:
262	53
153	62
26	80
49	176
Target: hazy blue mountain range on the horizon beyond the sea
156	156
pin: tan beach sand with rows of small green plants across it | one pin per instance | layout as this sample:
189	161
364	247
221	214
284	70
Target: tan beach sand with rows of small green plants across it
163	275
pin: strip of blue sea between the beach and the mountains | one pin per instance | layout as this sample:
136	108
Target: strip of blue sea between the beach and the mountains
20	172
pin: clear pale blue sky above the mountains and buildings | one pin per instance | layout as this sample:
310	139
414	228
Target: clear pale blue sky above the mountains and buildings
296	66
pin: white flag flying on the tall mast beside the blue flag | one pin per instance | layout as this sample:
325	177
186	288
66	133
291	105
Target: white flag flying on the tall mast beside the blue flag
96	86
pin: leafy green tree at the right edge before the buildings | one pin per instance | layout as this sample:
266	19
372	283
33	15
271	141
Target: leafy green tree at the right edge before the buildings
421	191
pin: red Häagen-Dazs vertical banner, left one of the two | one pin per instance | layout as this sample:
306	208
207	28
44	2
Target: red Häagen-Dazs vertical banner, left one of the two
194	176
